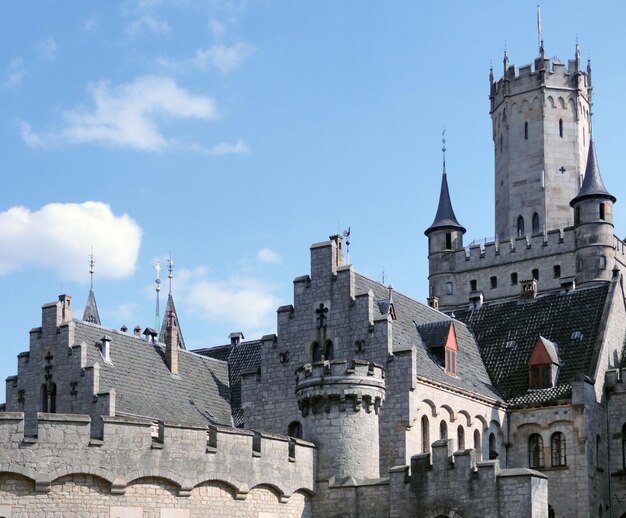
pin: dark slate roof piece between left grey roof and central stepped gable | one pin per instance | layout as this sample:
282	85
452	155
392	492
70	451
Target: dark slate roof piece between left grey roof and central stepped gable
242	357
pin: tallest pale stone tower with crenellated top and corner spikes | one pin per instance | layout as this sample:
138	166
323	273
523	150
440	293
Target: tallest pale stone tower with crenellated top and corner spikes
540	123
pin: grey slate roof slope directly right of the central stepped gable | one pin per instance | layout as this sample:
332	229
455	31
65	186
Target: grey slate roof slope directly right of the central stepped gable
412	315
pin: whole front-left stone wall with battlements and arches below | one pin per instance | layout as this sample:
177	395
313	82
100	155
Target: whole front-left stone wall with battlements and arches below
136	471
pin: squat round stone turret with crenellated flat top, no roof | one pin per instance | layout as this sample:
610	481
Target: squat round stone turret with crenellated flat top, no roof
340	404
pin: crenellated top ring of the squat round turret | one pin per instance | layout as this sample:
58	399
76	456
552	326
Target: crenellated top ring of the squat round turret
324	385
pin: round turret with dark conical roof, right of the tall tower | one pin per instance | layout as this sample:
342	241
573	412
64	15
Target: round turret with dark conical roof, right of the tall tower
593	223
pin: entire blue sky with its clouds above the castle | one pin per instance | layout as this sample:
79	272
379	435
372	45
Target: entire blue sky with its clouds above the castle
235	134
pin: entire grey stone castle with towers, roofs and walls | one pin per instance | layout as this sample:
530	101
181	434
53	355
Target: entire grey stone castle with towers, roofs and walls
504	396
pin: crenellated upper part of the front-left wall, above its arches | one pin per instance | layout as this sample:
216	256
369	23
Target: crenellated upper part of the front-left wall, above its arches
133	448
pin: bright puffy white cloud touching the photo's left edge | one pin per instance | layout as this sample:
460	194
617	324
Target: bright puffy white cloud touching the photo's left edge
59	237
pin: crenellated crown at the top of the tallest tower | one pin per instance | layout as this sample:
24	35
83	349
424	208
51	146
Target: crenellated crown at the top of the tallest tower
551	74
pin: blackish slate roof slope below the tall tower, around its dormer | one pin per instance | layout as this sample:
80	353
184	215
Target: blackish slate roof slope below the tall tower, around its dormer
507	333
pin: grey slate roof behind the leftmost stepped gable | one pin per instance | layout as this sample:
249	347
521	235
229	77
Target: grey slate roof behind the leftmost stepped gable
144	386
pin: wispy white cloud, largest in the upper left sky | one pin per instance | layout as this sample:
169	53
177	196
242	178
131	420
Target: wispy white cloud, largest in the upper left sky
127	115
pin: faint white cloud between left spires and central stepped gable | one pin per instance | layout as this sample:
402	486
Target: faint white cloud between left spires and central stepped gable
244	302
